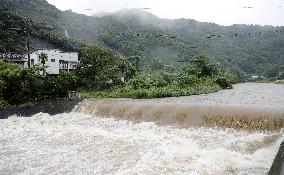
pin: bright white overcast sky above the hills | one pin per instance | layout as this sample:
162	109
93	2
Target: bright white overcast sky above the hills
224	12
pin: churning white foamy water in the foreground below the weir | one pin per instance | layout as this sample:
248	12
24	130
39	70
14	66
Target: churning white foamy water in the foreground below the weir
76	143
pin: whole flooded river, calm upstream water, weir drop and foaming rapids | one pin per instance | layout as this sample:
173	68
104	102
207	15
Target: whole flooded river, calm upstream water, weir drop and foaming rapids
125	136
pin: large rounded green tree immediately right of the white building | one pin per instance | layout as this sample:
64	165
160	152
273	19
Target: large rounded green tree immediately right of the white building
99	68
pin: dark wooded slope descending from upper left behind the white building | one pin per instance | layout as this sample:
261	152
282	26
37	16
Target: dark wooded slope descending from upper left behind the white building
14	32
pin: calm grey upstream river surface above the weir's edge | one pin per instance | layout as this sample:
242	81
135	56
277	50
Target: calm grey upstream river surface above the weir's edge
257	94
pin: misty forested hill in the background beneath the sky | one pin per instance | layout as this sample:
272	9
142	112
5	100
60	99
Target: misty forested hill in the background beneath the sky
133	32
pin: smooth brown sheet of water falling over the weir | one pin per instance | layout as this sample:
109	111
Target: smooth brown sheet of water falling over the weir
187	115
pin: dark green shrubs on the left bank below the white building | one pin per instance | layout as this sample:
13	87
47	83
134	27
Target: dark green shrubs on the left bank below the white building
18	86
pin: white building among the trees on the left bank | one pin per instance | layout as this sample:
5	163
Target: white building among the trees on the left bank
56	60
